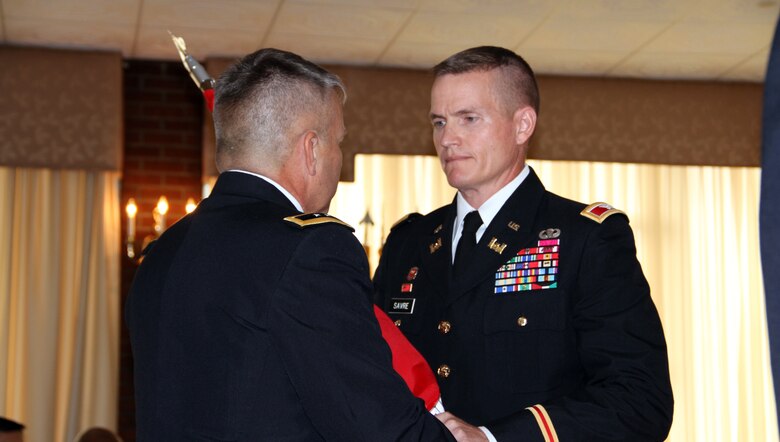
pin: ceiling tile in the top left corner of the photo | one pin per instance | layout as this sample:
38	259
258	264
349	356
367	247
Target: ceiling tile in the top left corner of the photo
114	11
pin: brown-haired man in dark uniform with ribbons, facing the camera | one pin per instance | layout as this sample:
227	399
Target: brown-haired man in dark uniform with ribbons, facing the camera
532	309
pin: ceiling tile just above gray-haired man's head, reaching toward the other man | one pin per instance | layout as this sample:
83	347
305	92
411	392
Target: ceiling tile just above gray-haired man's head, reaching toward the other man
332	50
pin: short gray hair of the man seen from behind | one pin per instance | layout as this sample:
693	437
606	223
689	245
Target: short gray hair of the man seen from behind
260	97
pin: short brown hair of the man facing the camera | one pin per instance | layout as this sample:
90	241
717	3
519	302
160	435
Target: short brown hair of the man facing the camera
518	75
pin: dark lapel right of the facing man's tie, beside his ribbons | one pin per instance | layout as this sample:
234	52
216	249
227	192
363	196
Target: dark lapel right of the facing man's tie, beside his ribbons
509	232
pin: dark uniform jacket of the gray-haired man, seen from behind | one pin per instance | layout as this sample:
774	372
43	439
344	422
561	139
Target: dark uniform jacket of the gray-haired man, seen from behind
246	327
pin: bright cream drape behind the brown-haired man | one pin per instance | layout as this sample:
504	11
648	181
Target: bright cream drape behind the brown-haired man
697	238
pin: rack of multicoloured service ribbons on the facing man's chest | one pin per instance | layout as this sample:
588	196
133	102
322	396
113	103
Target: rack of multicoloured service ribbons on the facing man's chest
534	268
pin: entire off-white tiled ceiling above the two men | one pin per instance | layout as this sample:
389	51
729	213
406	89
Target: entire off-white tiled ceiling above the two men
571	37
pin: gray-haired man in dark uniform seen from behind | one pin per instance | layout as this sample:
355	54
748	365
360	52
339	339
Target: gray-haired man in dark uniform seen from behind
249	320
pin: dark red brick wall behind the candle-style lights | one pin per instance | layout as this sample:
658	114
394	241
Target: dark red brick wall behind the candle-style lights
163	121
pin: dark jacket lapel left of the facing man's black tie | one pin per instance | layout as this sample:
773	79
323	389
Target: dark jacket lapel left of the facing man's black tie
436	251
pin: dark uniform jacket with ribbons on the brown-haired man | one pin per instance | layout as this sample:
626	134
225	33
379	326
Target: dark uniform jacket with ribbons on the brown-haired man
553	313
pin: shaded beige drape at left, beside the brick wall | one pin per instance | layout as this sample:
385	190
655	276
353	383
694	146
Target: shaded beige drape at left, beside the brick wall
59	300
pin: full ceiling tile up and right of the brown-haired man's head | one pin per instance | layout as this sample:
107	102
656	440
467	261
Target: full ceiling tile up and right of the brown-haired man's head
592	35
